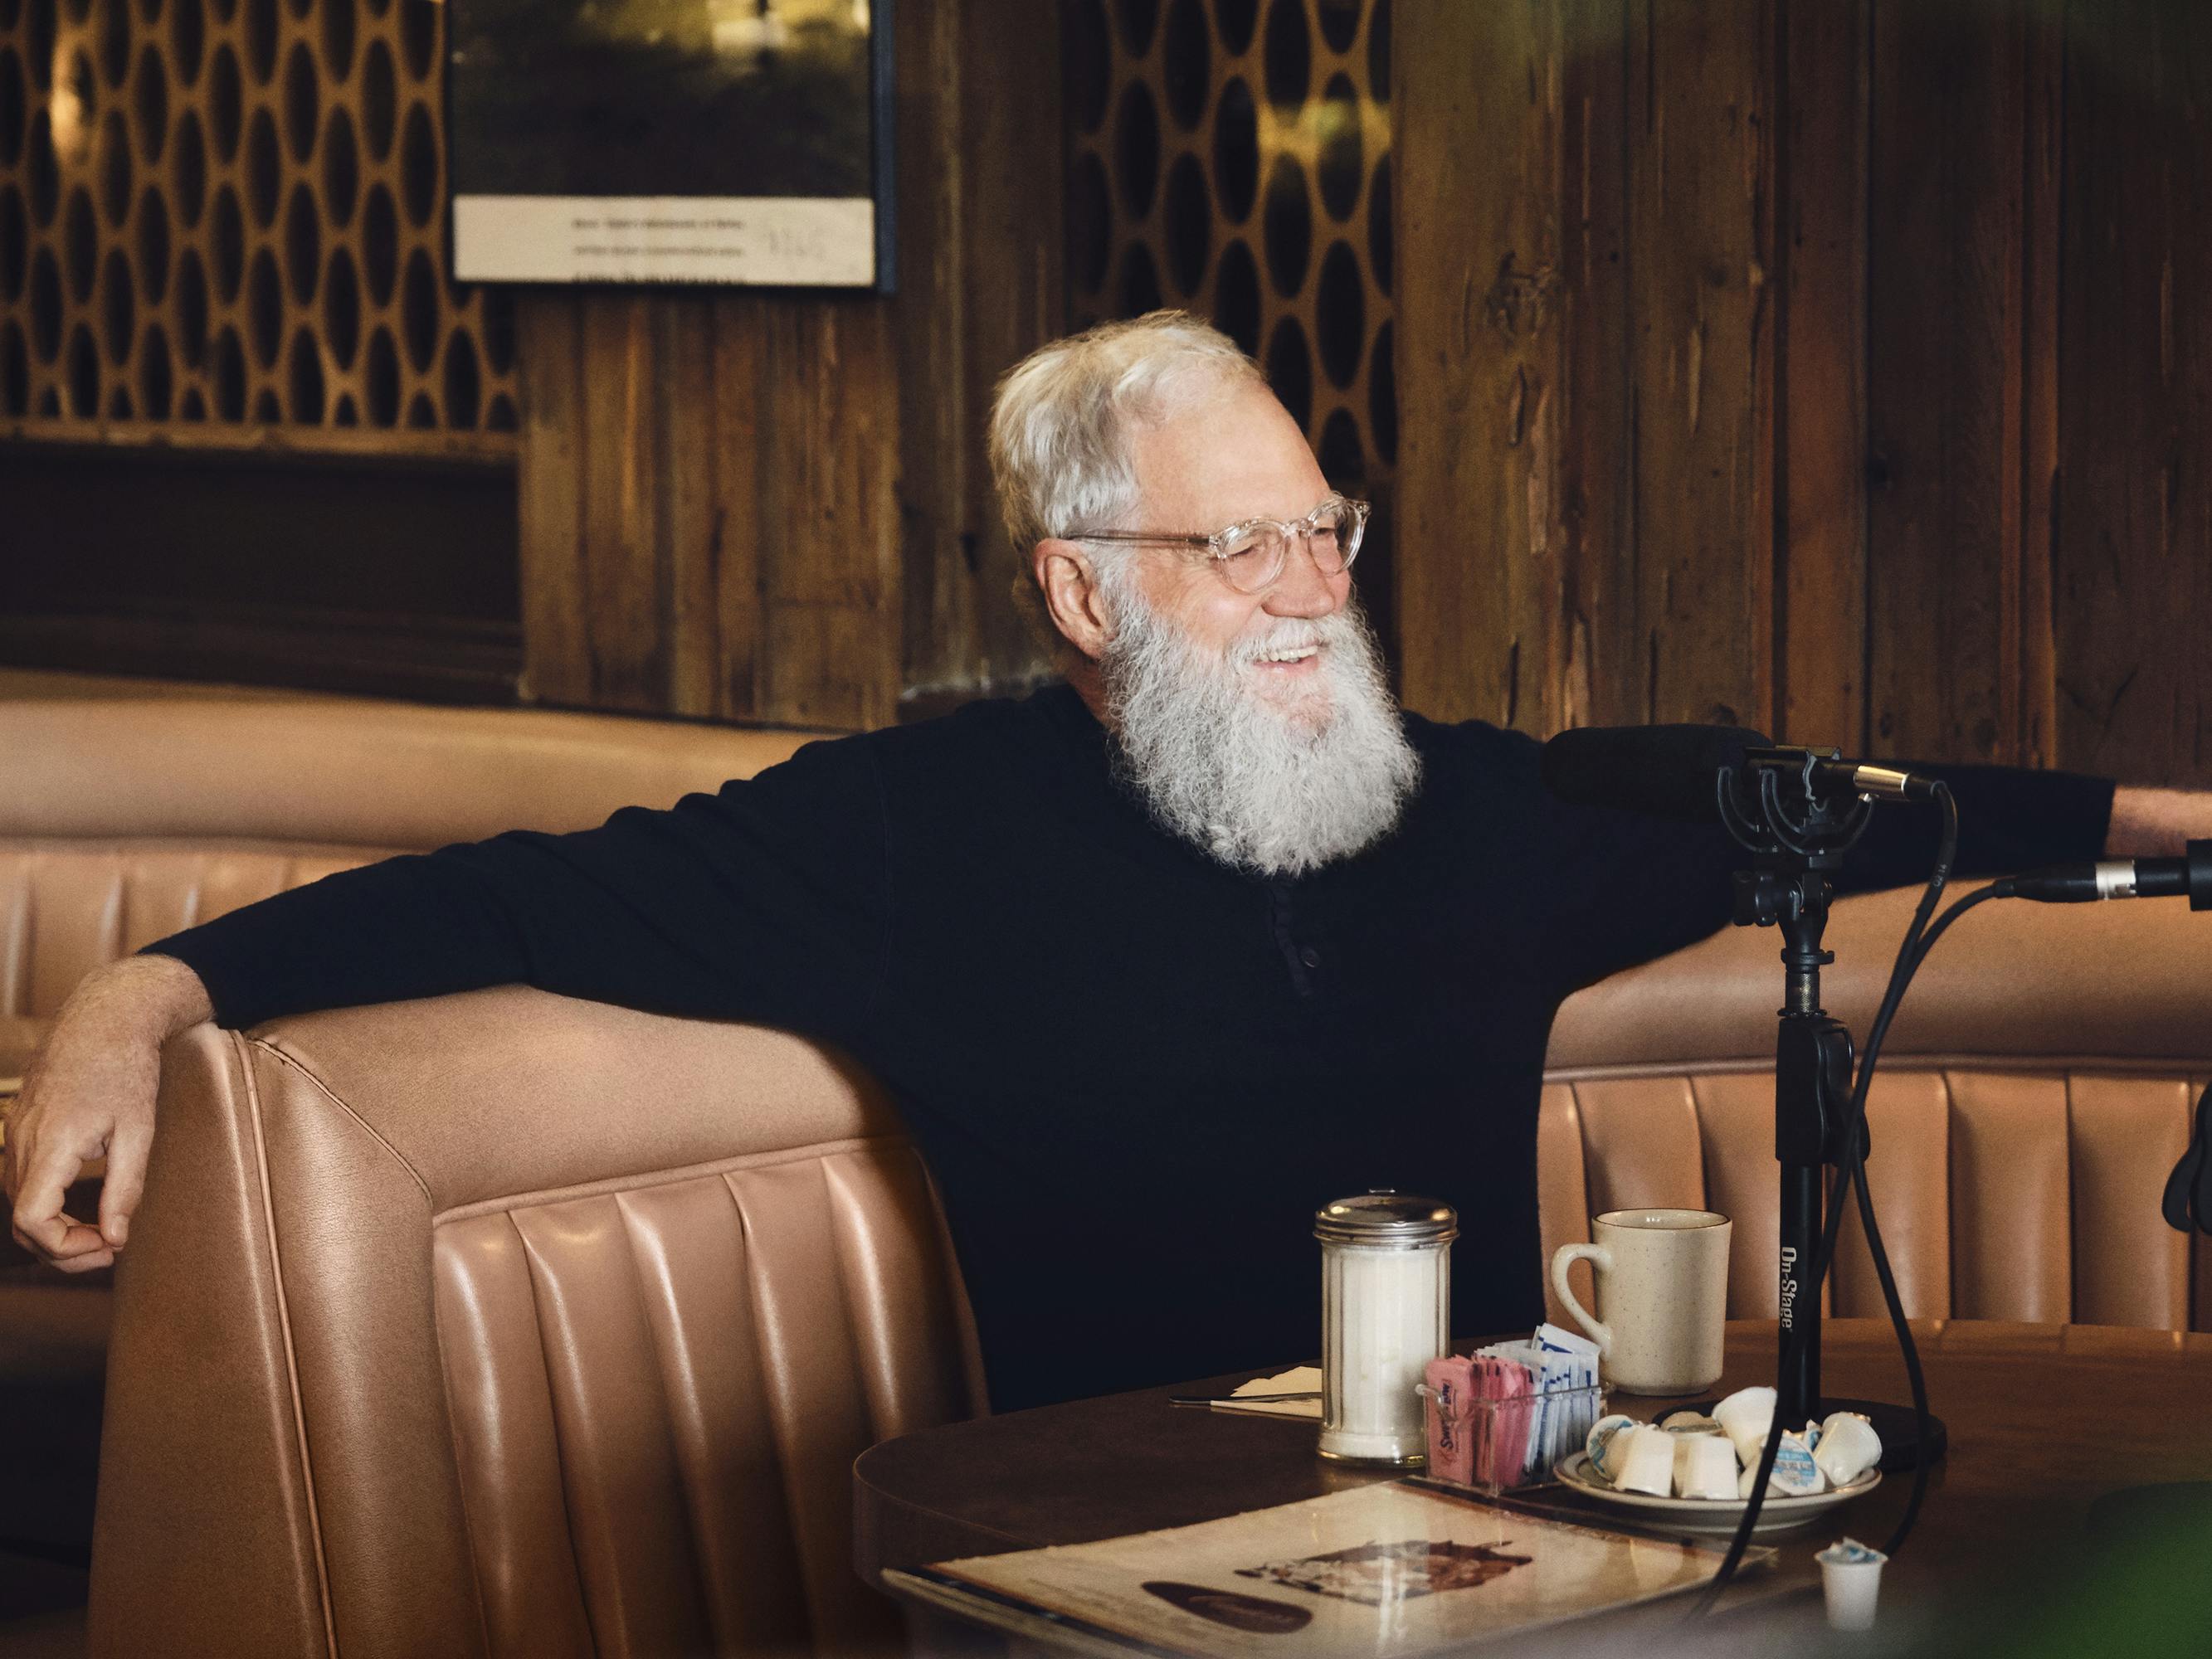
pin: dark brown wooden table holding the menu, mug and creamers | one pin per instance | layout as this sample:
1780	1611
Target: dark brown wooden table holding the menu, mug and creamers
2045	1419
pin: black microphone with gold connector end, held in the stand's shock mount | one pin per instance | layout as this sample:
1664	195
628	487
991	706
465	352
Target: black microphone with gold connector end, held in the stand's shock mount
1669	771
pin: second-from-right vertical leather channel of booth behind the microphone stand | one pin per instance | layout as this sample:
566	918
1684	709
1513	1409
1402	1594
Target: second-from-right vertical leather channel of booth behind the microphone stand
2012	1211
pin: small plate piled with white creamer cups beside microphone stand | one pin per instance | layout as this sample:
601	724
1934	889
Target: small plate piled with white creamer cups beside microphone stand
1693	1474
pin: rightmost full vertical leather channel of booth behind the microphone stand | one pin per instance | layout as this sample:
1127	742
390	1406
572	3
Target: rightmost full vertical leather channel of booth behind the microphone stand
2125	1136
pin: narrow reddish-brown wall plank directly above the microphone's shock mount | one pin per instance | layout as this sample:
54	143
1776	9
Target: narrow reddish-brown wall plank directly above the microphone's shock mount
1822	406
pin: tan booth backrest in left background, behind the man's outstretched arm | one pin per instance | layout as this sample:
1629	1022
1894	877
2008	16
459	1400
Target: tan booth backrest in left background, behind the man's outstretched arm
127	820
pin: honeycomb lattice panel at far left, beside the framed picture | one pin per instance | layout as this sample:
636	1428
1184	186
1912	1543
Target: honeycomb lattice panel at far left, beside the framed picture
233	213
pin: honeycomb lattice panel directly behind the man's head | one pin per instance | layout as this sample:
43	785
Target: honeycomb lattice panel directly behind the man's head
1233	158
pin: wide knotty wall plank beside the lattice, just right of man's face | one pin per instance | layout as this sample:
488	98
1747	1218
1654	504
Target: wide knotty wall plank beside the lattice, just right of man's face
1479	359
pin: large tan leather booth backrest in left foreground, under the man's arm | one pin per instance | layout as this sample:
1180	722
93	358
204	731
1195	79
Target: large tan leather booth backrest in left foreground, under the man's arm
514	1326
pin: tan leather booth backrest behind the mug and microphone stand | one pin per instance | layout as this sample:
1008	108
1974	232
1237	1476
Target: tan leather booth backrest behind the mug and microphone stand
2036	1092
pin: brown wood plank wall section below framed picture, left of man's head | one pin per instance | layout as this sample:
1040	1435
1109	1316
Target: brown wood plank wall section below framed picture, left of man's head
775	505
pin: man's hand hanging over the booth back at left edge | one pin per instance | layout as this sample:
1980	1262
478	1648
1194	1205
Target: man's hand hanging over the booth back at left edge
90	1094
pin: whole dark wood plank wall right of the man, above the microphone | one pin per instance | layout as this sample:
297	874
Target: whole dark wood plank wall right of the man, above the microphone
1912	379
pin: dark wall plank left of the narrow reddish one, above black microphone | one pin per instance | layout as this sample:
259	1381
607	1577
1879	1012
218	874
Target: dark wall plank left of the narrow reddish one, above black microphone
1702	355
